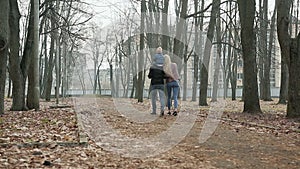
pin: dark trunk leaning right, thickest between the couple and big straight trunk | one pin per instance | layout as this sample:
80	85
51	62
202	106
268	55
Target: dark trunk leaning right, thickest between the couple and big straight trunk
207	52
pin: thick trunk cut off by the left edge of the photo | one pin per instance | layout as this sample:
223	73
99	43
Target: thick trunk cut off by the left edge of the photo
4	44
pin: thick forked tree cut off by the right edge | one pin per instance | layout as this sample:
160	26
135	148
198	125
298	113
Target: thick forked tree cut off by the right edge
290	52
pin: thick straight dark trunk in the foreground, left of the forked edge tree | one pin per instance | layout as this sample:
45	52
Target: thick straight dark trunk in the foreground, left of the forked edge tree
247	14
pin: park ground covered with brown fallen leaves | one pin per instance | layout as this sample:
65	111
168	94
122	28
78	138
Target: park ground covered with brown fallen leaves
50	137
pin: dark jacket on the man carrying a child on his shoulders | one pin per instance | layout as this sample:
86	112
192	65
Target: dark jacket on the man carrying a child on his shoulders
157	75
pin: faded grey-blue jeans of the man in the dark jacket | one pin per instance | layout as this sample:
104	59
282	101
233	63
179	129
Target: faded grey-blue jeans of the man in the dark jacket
153	94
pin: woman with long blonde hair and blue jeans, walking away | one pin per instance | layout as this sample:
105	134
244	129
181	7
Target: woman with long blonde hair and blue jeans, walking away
172	84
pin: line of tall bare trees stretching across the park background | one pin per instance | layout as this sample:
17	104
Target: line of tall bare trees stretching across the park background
238	30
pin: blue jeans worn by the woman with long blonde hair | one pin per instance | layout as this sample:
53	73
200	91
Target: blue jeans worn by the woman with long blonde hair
172	87
